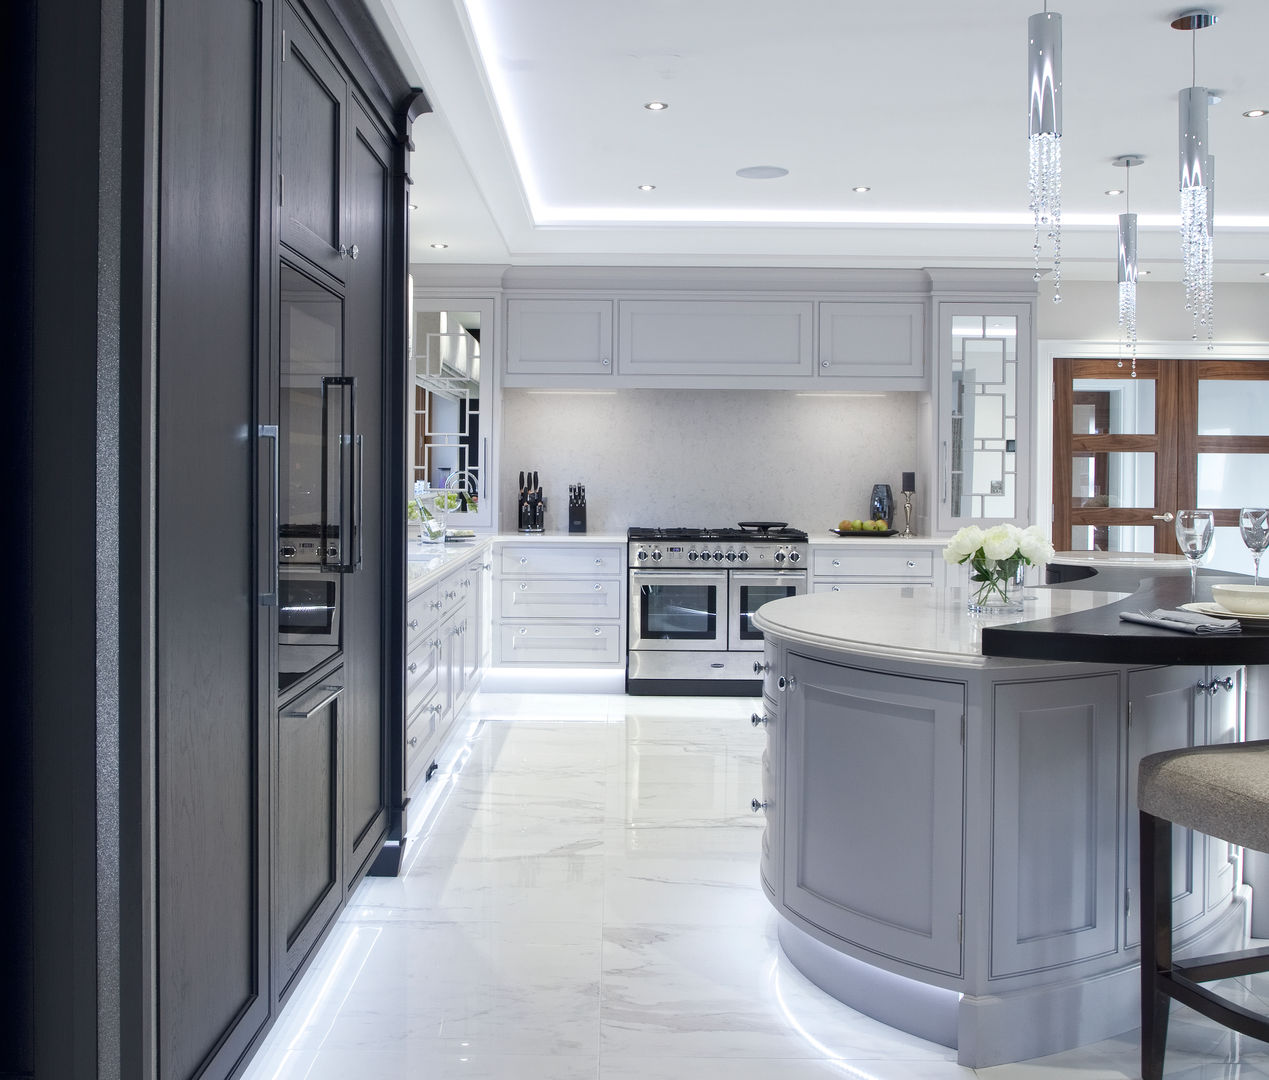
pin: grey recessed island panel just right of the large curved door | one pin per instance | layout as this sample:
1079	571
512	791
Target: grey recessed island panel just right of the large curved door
1055	822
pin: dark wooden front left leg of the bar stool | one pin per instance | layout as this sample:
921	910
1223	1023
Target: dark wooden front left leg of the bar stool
1157	941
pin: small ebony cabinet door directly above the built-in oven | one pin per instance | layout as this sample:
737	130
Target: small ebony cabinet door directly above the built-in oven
312	149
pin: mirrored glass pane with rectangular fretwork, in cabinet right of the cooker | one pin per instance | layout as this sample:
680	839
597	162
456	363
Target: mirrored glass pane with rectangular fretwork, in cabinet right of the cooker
984	417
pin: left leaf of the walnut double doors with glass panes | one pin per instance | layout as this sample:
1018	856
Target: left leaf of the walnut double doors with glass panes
1115	456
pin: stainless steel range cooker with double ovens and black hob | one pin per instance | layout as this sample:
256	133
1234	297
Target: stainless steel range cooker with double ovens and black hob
694	595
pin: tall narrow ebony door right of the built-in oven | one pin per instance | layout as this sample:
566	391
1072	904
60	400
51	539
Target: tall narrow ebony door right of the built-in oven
365	768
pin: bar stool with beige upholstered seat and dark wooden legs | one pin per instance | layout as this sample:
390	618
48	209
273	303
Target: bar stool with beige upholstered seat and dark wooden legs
1223	791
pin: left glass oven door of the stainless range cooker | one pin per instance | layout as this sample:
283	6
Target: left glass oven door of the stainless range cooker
673	611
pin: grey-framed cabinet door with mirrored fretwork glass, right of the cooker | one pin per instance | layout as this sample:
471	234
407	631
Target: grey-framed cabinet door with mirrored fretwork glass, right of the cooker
985	428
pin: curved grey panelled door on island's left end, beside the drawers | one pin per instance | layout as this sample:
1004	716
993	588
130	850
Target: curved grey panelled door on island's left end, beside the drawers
880	862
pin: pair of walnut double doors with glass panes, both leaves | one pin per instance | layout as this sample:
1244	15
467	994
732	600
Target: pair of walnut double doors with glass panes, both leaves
1130	451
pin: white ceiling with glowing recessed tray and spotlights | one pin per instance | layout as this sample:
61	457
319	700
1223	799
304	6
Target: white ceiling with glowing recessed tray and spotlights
540	139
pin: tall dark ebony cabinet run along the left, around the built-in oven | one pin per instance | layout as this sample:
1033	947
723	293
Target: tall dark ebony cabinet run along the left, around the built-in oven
186	827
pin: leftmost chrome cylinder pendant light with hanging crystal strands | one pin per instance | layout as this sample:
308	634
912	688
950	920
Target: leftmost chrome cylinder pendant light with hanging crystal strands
1045	135
